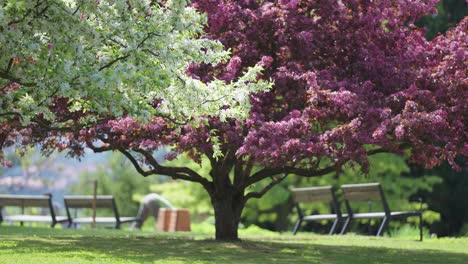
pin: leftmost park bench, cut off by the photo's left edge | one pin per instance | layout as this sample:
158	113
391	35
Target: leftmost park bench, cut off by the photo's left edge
23	201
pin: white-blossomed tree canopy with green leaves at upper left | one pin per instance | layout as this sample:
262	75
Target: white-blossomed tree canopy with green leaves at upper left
108	59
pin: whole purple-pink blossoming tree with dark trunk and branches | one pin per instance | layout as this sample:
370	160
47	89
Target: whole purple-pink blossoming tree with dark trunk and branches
351	79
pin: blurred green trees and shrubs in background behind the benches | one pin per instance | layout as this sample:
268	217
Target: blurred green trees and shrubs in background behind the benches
444	191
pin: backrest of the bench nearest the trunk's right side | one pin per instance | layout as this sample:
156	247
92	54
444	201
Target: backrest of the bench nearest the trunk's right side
316	194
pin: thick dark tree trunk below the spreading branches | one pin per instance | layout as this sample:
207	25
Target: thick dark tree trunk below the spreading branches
228	208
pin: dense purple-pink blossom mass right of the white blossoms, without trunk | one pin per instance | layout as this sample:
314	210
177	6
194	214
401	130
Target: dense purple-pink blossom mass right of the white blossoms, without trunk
348	75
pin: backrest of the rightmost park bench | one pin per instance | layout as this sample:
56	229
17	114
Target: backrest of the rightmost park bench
364	192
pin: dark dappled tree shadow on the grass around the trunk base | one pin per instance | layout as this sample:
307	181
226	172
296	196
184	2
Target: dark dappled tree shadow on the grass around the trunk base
185	250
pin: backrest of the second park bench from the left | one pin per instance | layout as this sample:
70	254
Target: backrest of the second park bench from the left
87	201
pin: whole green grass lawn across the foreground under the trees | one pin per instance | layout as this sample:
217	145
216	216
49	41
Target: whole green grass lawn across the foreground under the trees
45	245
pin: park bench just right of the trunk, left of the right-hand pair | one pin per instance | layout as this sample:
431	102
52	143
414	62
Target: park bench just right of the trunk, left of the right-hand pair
316	194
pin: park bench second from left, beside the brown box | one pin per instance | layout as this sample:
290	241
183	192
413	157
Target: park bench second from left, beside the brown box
101	201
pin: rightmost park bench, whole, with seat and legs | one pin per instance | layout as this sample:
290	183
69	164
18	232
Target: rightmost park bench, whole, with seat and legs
373	191
